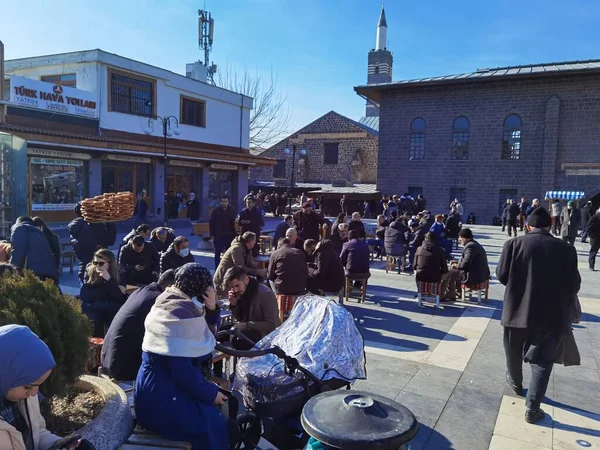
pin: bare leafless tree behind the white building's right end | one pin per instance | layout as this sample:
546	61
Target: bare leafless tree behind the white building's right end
270	119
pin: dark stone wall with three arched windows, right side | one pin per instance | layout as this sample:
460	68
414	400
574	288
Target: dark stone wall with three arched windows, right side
560	124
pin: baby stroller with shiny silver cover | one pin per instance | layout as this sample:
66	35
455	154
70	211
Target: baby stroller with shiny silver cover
317	349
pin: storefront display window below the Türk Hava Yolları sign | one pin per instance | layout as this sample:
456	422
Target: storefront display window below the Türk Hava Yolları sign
57	181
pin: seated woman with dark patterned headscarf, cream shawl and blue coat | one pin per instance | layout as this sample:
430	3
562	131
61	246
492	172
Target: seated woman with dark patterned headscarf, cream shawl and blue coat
173	396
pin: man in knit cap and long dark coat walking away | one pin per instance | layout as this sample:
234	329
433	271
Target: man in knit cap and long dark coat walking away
541	278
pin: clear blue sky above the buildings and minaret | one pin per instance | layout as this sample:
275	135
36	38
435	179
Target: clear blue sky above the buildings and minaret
317	49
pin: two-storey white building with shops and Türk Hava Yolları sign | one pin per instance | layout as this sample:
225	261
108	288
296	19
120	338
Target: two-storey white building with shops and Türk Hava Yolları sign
81	118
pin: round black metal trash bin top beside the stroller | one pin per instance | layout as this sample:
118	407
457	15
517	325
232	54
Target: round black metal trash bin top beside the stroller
358	420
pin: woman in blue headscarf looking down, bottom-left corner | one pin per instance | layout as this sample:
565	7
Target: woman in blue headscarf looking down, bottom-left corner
25	363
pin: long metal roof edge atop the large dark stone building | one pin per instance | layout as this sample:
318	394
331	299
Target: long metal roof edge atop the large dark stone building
372	91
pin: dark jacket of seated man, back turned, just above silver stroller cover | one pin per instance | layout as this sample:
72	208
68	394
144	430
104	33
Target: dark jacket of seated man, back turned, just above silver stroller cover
288	270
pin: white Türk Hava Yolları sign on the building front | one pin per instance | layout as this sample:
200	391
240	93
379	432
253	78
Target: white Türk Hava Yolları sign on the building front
52	97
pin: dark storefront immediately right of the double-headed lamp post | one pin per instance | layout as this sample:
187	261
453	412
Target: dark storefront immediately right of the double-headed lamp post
183	177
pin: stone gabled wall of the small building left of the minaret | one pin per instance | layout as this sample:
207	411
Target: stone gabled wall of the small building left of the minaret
357	153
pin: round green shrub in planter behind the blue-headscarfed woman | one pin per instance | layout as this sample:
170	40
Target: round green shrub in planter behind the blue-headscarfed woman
57	319
